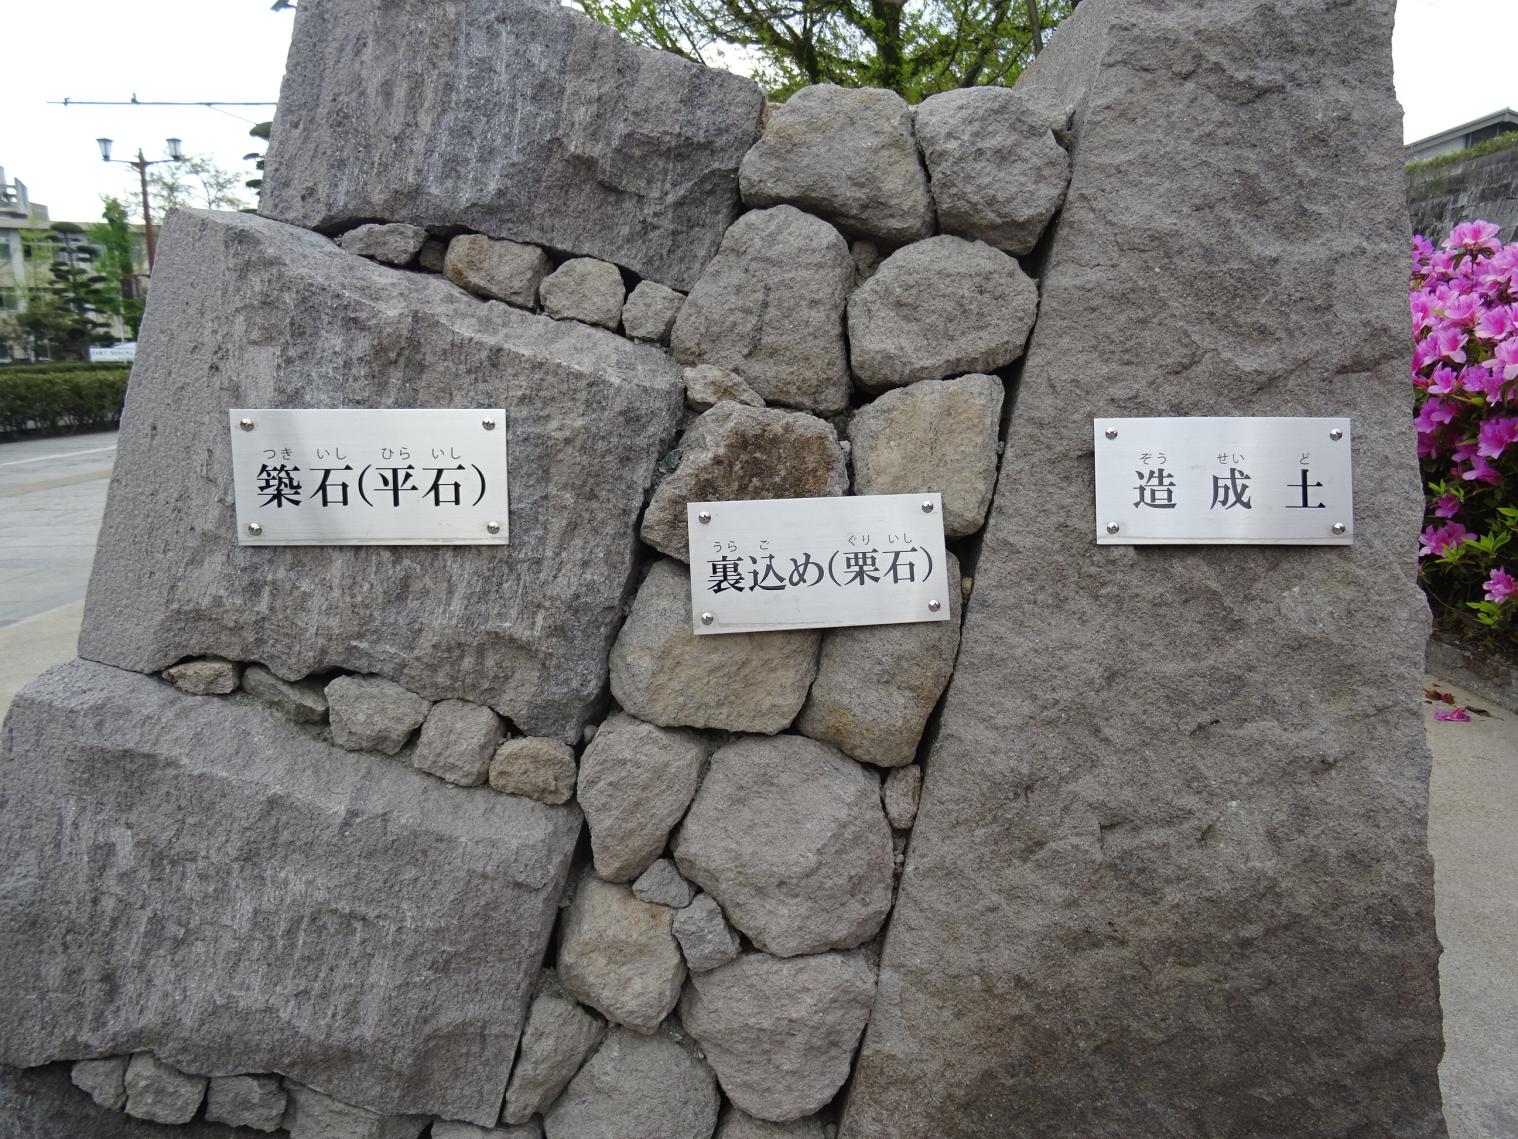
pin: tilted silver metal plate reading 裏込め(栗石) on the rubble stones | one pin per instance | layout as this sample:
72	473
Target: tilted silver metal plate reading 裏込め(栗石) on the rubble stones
817	563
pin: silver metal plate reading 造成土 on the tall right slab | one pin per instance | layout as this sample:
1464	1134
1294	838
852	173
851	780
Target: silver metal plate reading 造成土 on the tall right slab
1224	482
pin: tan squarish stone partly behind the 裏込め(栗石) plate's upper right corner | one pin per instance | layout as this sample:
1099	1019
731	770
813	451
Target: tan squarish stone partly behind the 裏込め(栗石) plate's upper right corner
939	435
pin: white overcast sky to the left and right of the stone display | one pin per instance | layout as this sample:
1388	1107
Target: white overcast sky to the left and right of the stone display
1453	65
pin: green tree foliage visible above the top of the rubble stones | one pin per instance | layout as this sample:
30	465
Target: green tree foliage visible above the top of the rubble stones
916	49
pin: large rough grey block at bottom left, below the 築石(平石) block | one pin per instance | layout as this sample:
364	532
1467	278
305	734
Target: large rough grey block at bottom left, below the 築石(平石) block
301	898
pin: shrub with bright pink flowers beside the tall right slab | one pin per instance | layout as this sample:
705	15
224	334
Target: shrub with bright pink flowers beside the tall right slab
1464	304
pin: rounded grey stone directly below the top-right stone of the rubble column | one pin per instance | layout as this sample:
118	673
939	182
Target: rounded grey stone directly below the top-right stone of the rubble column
936	309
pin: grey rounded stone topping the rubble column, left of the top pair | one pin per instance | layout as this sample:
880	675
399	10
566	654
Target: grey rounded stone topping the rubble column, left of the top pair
846	154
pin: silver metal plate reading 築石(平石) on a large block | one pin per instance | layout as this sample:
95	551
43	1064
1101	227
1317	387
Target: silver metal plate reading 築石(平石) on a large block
370	478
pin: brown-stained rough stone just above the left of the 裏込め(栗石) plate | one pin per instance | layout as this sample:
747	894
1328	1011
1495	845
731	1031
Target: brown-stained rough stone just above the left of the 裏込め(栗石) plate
739	453
